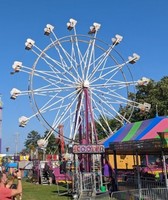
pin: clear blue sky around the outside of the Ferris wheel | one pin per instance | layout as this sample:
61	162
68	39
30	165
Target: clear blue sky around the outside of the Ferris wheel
143	25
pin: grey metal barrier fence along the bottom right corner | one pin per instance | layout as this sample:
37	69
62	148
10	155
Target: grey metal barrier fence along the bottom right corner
142	194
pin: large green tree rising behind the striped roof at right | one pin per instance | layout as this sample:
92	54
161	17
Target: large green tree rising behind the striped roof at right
156	94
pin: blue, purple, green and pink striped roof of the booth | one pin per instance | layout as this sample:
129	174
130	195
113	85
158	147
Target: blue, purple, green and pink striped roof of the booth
138	131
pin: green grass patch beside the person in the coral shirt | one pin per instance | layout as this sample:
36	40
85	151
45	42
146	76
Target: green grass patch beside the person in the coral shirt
33	191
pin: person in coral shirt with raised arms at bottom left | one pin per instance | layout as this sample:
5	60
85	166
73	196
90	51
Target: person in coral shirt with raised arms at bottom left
7	193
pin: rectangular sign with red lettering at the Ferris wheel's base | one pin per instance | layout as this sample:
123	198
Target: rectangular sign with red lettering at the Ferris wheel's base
88	149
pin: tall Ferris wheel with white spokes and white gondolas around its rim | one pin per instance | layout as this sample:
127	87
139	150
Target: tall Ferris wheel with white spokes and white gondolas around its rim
77	80
